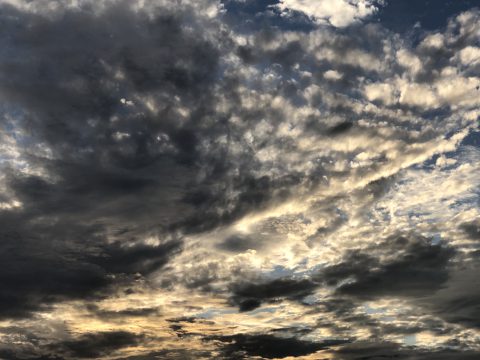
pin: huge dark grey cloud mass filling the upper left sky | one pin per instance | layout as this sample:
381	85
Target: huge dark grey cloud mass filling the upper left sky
61	74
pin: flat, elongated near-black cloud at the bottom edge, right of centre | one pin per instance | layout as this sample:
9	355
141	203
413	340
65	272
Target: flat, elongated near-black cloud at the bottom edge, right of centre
244	346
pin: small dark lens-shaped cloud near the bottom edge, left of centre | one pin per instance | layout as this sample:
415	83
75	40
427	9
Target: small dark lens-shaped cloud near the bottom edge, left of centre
94	345
